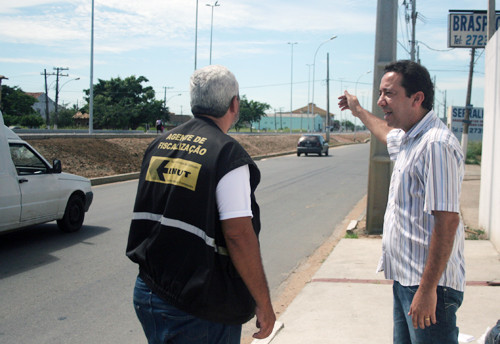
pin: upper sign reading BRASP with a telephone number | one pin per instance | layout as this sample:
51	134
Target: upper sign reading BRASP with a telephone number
468	29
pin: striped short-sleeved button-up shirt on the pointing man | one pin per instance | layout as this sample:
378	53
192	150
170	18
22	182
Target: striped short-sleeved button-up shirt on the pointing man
427	177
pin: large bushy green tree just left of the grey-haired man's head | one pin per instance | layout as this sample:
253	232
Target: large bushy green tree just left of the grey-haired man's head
125	103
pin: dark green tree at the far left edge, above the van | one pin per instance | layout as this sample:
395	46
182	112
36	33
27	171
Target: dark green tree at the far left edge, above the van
18	107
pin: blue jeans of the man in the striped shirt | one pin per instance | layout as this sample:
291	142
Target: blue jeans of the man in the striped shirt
444	331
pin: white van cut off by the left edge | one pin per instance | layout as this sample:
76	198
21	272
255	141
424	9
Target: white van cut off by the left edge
32	191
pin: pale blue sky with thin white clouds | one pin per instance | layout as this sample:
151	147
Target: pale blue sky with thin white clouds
269	45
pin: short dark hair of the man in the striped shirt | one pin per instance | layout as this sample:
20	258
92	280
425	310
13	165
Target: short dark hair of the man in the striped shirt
415	78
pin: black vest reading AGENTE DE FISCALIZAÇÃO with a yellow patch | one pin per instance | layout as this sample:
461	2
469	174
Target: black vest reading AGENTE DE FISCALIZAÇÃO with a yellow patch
176	236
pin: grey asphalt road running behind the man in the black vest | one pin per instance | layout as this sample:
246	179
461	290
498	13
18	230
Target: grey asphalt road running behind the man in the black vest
77	288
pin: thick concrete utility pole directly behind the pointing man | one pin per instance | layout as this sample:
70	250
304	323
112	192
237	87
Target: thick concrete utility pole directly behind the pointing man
380	169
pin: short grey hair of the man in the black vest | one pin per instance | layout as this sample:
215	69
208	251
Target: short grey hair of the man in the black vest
212	90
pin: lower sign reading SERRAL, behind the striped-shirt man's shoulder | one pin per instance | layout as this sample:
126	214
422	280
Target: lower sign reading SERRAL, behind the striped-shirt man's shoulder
456	116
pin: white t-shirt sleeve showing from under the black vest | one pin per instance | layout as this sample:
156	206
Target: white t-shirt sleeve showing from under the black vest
233	194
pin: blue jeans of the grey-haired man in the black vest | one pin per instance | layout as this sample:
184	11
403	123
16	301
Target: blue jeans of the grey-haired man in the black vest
163	323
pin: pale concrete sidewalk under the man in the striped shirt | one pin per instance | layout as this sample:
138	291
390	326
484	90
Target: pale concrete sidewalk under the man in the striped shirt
347	302
